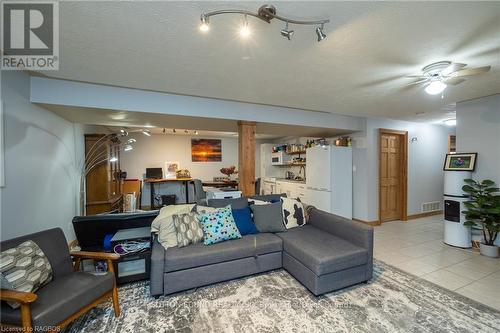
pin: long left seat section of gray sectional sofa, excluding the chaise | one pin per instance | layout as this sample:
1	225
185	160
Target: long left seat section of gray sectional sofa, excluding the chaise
177	269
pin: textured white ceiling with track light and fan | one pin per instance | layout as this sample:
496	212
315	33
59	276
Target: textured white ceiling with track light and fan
357	70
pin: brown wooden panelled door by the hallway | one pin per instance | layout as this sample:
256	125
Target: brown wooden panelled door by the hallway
392	187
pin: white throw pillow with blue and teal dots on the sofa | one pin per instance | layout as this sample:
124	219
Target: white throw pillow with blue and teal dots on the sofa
219	226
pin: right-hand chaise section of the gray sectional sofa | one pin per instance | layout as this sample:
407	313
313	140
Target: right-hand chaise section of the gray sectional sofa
329	253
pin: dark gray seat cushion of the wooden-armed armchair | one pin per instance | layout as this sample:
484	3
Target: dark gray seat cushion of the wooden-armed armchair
61	298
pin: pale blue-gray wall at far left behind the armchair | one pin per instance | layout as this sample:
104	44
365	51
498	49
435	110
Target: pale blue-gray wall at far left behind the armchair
40	180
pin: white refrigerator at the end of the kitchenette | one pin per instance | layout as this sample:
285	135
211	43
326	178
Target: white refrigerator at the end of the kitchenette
329	179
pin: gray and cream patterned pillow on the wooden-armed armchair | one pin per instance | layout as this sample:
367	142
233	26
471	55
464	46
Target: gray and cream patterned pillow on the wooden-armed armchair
24	268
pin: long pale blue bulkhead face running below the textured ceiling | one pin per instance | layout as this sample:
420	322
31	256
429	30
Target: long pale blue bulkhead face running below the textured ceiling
71	93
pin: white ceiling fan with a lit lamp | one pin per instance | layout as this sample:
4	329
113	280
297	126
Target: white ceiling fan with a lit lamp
438	75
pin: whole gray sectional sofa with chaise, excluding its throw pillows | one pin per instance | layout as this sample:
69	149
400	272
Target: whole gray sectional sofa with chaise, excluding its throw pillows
326	254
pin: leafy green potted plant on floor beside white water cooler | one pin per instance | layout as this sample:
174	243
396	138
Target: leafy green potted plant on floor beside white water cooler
483	210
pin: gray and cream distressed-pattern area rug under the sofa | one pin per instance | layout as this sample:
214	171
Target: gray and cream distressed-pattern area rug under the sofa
394	301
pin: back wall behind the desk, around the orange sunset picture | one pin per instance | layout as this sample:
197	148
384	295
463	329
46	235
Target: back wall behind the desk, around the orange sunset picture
154	151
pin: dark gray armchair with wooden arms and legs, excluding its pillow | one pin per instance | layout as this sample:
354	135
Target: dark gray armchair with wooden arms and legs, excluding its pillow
69	294
